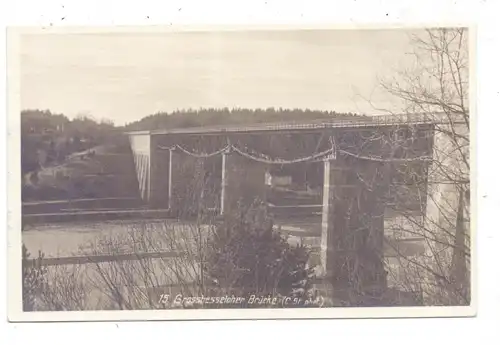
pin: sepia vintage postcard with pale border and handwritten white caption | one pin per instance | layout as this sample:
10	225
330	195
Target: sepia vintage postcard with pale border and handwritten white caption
241	173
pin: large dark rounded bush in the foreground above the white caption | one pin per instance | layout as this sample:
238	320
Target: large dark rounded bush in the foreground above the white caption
245	256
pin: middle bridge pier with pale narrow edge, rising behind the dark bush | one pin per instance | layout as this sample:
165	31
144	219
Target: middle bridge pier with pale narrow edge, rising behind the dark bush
242	183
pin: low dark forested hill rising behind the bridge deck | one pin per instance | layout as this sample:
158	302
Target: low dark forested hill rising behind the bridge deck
207	117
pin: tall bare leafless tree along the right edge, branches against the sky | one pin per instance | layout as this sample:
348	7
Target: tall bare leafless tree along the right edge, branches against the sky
435	86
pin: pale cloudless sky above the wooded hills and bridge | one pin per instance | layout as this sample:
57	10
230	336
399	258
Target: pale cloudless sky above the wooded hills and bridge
126	76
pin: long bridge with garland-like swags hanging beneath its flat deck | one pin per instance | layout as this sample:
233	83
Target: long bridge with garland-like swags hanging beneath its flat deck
219	167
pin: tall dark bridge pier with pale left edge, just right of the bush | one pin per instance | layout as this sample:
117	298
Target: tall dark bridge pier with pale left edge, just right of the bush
352	232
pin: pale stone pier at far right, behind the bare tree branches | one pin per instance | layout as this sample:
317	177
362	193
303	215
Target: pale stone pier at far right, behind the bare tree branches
448	214
